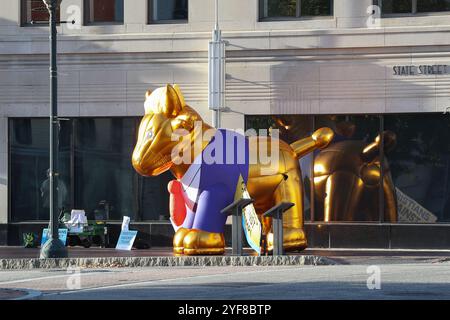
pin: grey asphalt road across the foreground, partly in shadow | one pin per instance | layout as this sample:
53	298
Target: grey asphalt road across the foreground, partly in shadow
397	281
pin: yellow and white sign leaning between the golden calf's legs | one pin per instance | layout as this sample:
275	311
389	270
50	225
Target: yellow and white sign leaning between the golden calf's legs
250	221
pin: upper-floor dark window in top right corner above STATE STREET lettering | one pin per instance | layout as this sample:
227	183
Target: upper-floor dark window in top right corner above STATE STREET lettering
412	6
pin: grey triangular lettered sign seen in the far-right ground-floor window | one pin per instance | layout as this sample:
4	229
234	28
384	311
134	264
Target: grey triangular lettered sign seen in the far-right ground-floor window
411	211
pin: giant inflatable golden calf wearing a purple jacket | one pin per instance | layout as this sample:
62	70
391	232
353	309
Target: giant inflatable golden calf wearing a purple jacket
208	175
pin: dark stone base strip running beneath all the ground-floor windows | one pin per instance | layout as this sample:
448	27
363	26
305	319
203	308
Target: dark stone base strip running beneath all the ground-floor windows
160	234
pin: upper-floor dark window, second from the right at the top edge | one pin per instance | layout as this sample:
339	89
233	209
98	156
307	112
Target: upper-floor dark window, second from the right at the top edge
294	8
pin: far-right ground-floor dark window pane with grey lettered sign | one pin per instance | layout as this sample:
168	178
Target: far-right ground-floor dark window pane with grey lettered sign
420	166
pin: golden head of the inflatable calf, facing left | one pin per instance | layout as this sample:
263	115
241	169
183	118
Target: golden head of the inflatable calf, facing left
165	112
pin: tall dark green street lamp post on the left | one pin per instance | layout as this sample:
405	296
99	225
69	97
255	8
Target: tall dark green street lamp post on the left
53	248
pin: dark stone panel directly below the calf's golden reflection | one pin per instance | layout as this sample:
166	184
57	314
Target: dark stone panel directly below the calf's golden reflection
359	236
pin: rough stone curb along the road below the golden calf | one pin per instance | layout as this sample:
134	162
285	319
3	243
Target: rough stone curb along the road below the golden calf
136	262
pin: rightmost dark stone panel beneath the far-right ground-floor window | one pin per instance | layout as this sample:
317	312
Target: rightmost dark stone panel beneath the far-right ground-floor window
420	237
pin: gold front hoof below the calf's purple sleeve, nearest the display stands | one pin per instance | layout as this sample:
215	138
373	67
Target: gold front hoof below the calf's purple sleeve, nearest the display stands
198	242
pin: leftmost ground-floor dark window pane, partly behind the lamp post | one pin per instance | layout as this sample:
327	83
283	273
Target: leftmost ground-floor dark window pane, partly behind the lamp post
29	152
